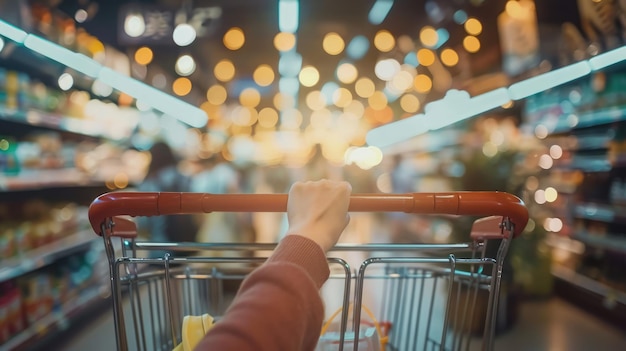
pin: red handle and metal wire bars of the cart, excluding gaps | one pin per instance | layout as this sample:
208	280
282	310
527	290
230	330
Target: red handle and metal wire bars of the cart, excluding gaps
106	216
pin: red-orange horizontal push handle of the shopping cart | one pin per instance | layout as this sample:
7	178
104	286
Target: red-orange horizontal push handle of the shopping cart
473	203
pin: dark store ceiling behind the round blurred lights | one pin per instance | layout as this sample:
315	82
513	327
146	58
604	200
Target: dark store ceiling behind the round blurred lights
259	21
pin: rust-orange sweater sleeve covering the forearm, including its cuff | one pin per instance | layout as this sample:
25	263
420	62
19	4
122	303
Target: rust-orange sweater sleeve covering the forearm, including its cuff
278	306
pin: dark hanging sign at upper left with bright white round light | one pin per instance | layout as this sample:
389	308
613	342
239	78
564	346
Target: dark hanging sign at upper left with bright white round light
154	25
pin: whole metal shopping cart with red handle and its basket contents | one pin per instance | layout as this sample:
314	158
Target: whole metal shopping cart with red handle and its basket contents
401	296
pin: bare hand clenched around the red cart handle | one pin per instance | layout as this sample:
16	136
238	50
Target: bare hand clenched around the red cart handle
319	211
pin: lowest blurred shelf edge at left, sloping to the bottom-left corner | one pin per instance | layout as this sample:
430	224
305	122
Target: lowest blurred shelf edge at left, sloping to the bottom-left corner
58	319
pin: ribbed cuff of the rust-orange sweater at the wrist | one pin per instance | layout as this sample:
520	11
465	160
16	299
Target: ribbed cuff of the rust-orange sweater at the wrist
305	253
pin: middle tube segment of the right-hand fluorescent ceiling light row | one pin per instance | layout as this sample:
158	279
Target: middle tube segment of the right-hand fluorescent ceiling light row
537	84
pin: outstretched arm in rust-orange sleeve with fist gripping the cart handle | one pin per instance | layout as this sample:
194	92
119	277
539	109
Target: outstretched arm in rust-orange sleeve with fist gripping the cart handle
278	306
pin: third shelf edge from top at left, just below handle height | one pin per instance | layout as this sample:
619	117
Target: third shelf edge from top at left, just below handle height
45	255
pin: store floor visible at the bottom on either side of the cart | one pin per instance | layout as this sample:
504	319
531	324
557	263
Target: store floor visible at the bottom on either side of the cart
551	324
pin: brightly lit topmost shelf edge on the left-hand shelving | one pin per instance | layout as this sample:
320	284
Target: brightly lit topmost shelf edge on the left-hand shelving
55	121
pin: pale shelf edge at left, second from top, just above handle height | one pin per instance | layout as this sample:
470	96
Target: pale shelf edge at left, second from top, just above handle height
45	178
